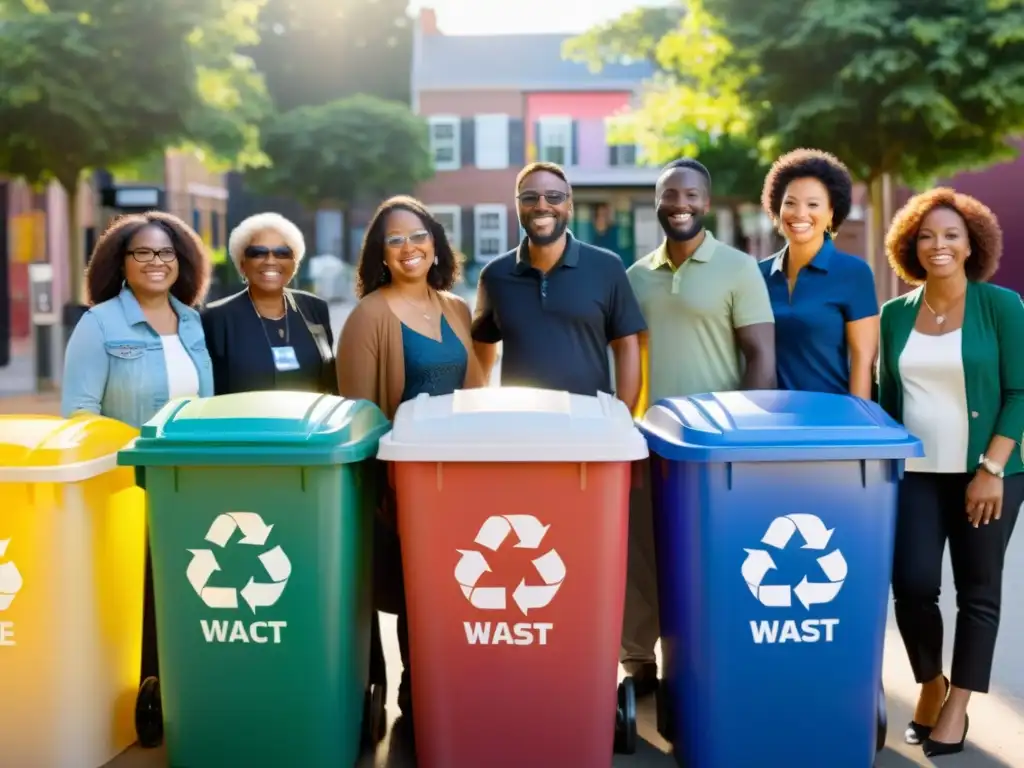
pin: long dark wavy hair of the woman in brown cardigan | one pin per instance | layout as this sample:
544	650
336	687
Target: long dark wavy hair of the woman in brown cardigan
372	272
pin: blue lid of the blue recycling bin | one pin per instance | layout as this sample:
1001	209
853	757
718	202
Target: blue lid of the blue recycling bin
775	426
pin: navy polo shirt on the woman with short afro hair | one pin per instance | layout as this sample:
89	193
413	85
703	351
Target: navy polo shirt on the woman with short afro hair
835	288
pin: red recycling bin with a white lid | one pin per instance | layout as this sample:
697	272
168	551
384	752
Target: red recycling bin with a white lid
514	511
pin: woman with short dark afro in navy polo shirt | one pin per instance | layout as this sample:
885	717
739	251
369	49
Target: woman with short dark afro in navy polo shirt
827	313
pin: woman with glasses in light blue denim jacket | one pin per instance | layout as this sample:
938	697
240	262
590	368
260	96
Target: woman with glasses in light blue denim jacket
142	343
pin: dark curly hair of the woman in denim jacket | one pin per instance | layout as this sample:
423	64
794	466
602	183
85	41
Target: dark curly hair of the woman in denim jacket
106	273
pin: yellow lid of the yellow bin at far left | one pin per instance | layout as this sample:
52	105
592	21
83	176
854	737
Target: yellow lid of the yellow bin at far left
49	449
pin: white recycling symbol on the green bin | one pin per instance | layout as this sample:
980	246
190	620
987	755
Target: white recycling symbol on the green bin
254	534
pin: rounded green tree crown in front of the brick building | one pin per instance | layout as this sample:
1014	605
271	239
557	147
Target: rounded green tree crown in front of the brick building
348	152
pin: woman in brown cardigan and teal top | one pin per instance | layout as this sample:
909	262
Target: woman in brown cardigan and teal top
408	336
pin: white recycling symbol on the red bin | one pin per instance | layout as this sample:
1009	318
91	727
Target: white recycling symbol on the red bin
474	565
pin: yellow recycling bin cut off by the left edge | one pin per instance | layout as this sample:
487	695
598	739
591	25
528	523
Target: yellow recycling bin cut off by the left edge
72	578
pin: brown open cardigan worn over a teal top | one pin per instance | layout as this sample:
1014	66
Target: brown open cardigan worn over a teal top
371	360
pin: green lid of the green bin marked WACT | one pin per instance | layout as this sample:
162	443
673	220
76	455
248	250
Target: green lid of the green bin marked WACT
276	429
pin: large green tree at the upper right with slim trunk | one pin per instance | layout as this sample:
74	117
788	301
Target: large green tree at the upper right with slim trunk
911	91
